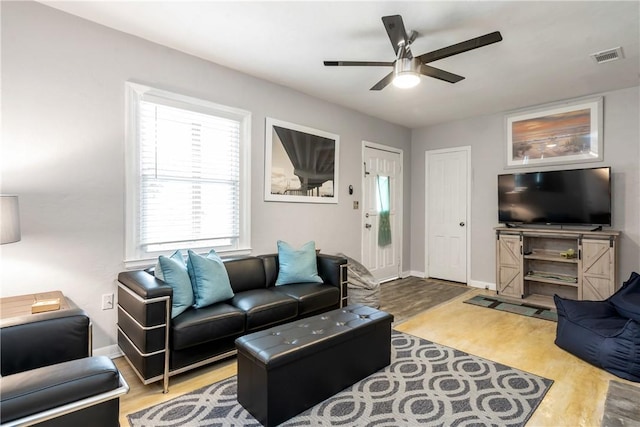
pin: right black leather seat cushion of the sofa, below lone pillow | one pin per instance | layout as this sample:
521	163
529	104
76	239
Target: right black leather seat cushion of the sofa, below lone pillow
311	297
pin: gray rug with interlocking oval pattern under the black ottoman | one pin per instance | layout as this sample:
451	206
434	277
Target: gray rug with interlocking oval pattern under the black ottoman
426	384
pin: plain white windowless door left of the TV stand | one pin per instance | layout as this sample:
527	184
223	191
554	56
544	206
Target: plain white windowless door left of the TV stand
447	173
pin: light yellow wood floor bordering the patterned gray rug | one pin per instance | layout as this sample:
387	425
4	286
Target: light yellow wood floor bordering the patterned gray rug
575	399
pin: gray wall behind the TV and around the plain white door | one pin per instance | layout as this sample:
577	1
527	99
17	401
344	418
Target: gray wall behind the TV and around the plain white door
486	136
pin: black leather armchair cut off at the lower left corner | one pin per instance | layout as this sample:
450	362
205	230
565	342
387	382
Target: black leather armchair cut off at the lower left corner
48	376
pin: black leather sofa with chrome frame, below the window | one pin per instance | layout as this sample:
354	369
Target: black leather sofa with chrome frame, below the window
158	347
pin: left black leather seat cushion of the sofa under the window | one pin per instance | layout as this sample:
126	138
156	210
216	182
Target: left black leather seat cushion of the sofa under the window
206	324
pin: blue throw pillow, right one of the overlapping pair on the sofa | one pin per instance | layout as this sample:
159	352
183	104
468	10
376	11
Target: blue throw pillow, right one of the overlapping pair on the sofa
209	279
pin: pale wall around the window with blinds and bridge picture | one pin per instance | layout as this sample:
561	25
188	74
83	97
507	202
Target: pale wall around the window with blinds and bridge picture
63	152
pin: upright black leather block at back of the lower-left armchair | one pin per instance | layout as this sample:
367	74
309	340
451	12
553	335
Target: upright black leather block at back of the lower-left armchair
34	341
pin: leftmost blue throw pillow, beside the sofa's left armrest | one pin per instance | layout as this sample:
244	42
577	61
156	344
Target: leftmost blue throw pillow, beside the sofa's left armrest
173	271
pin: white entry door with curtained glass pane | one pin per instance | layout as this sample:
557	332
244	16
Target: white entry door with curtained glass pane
382	211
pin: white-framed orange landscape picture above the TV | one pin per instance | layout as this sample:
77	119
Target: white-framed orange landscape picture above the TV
555	134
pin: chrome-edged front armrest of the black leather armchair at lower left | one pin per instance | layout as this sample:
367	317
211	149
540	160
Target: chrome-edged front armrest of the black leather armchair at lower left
51	391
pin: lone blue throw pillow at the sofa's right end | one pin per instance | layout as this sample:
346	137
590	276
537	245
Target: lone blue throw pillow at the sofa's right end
297	265
